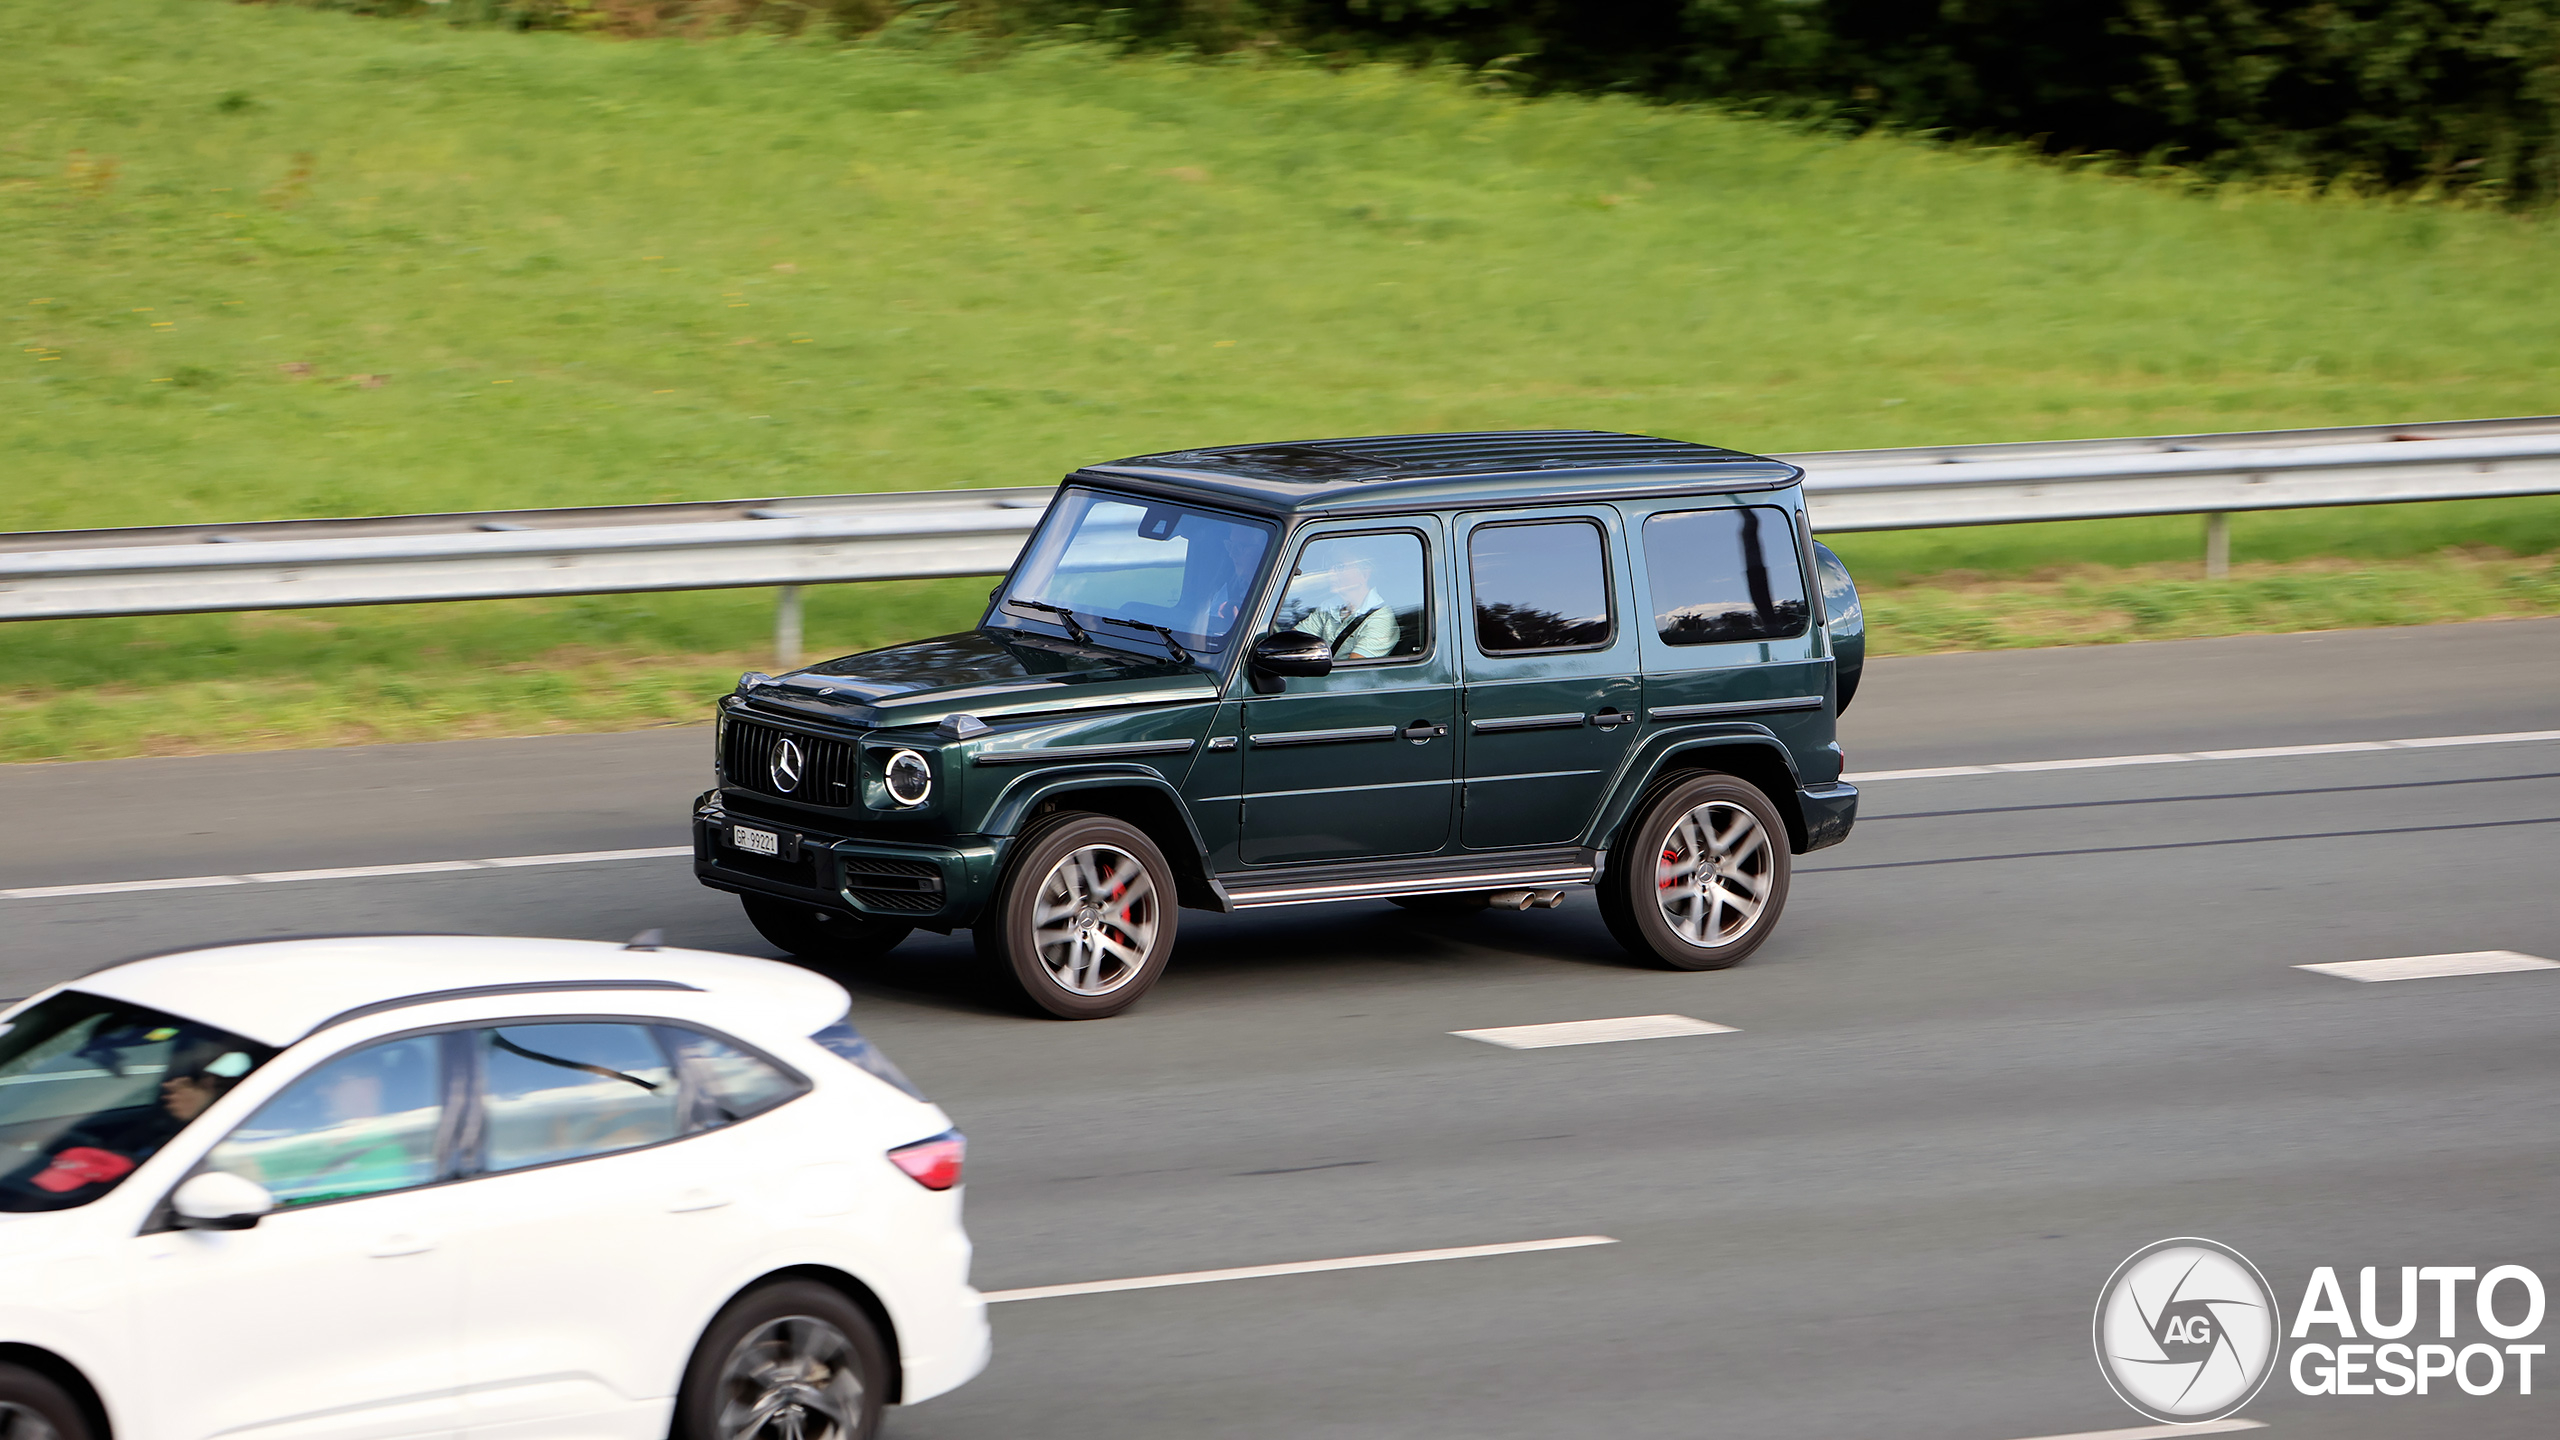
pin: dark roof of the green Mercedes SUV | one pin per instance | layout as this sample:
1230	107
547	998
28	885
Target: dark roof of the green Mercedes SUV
1466	468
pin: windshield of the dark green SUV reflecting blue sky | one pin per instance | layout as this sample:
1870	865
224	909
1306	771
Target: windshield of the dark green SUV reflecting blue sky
1148	562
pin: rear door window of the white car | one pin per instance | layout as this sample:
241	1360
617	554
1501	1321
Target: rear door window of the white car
557	1093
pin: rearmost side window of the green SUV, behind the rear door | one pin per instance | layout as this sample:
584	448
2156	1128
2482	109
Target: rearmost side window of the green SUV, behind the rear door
1724	575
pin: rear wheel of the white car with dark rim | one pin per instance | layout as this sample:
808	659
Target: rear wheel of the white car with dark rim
792	1344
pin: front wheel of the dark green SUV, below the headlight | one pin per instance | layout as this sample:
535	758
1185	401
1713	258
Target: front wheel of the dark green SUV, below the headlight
1084	921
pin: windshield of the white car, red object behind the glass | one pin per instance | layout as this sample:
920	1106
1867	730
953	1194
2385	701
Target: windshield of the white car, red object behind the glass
93	1088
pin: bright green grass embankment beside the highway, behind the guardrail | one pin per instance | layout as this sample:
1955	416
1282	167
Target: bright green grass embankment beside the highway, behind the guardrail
278	263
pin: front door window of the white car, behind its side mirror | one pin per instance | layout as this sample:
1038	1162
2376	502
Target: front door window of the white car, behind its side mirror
362	1124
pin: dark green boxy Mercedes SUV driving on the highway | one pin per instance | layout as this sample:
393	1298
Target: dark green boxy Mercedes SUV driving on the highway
1435	670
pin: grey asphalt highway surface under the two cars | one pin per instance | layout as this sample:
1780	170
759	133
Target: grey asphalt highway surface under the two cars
2013	1031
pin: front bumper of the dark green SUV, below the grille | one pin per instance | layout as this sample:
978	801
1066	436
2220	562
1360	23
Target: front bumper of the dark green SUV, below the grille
938	888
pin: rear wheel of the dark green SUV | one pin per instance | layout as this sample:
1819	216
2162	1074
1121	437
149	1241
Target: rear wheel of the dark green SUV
1650	898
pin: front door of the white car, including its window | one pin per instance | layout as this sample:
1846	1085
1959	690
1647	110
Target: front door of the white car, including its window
337	1316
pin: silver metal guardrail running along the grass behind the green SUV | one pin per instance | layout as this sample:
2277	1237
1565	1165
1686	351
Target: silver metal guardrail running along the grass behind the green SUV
826	539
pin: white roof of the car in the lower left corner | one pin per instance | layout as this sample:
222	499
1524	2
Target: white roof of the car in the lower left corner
280	990
